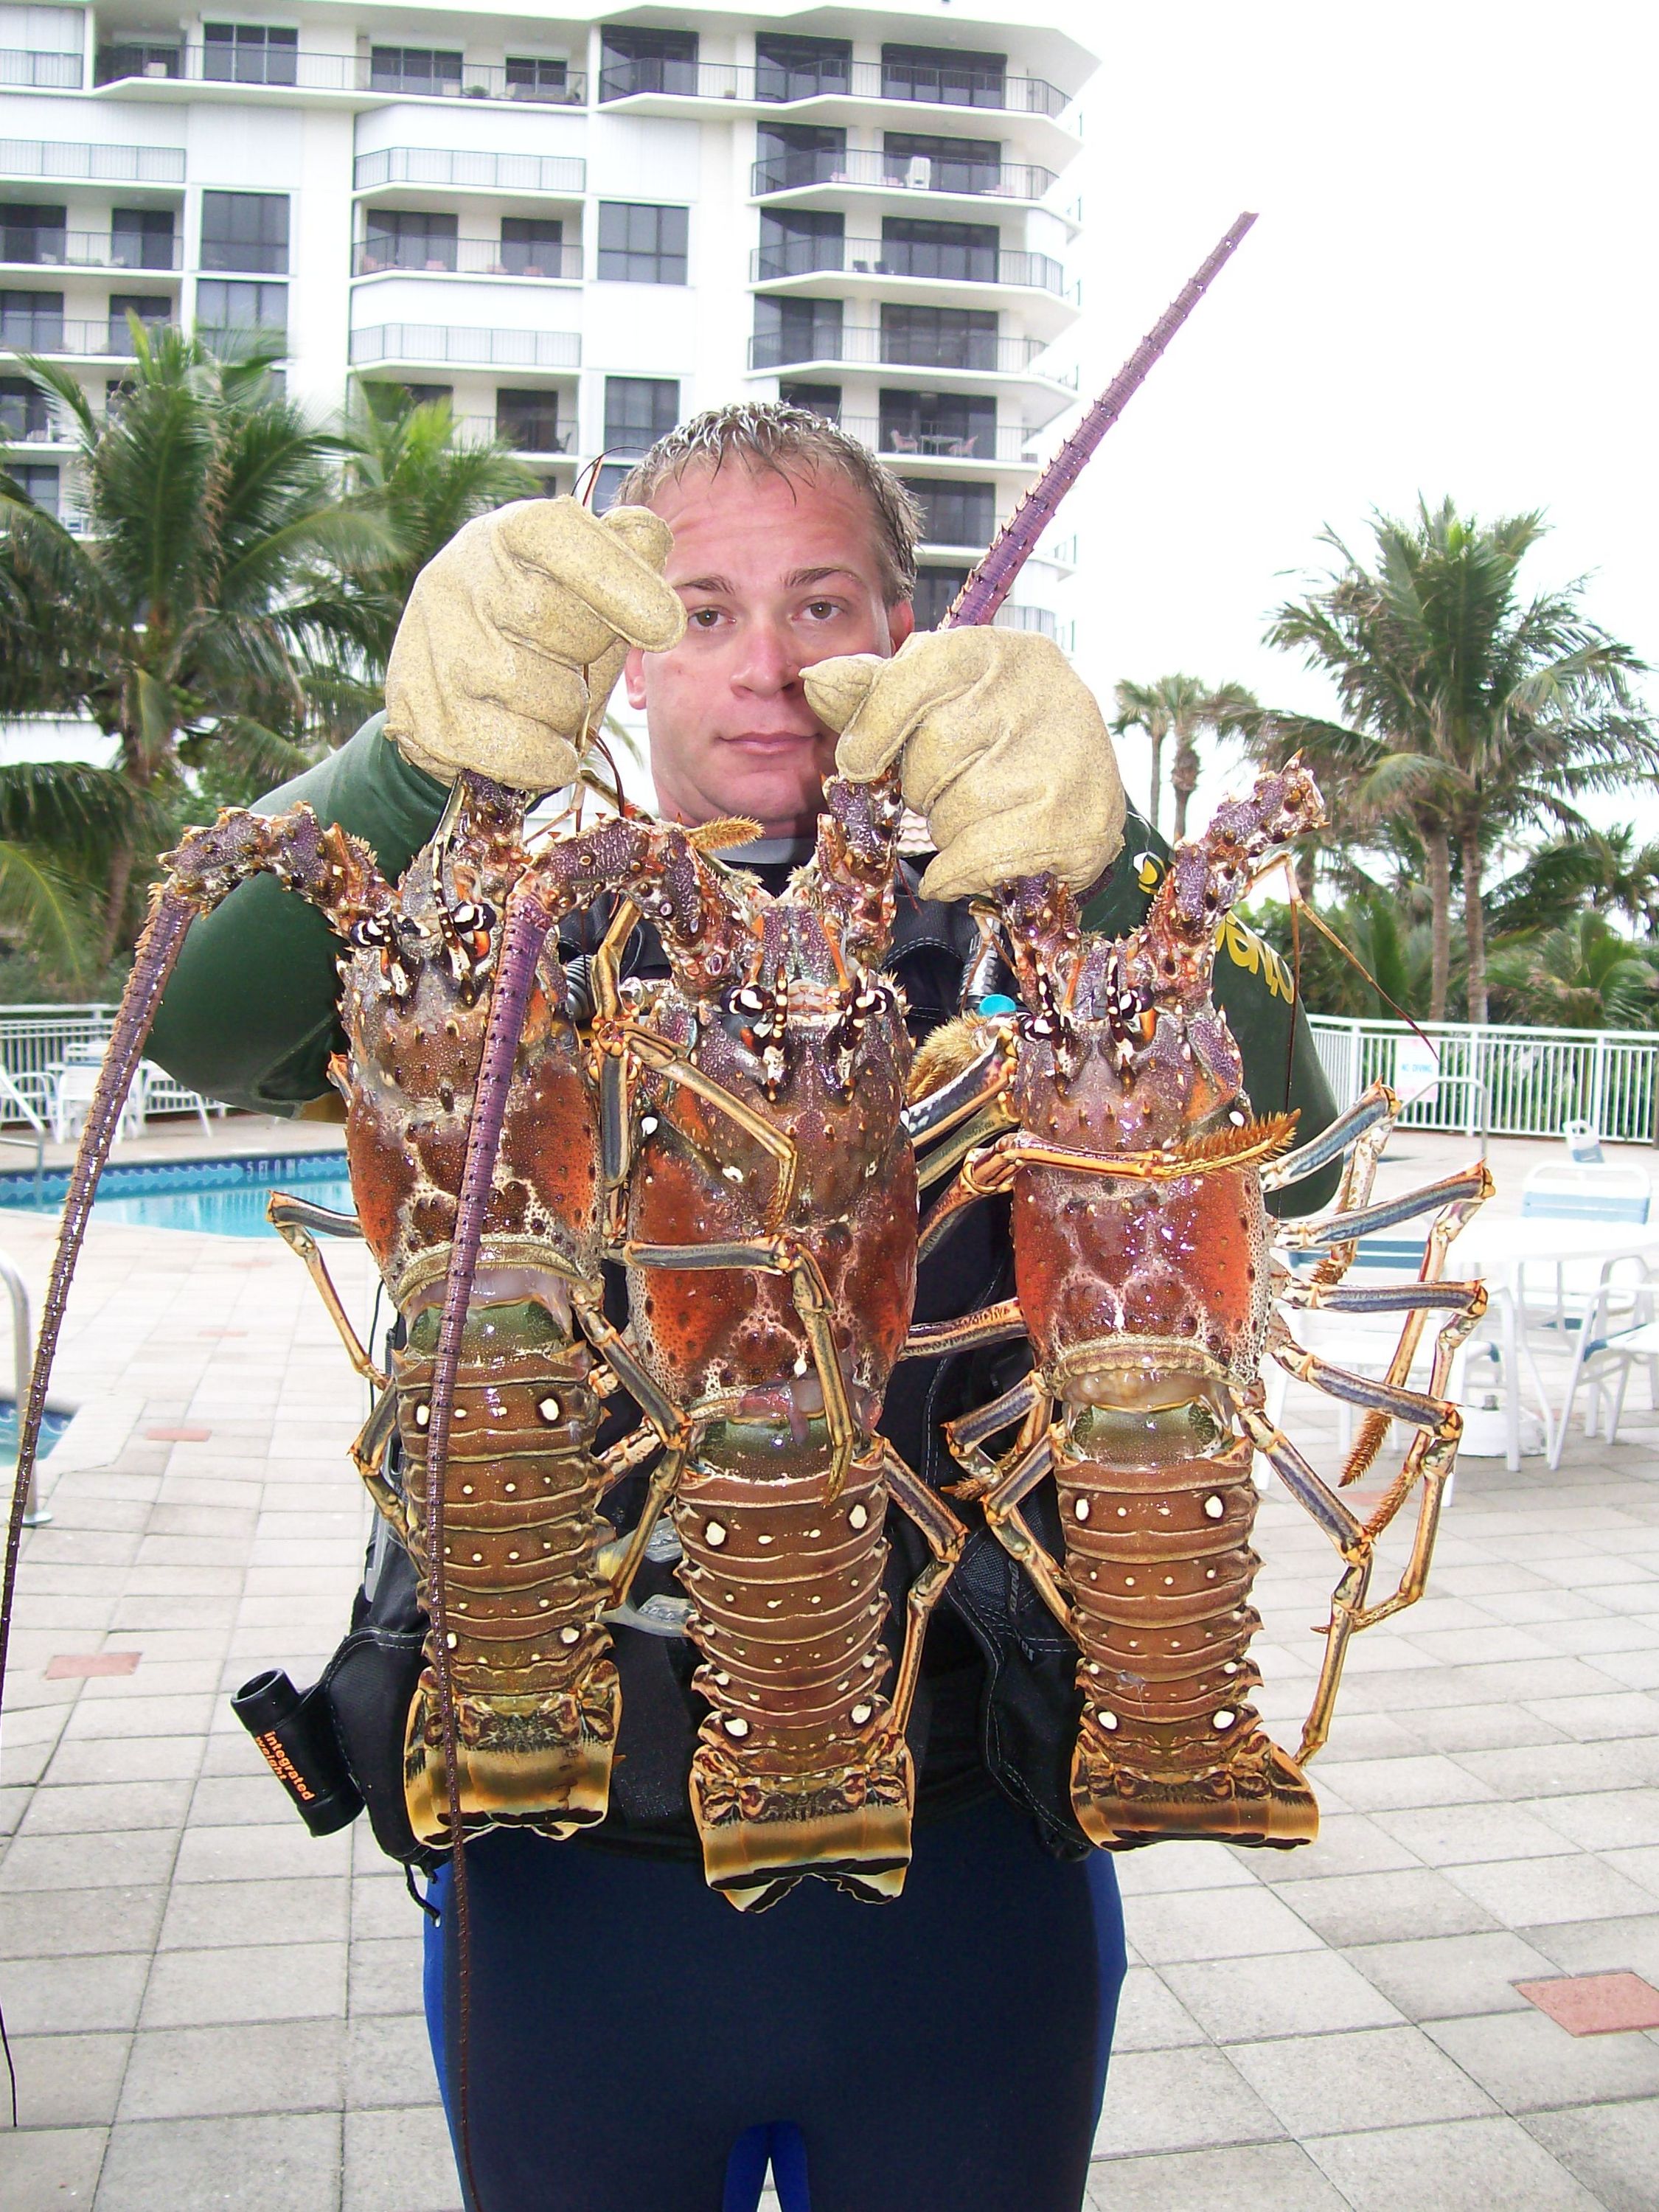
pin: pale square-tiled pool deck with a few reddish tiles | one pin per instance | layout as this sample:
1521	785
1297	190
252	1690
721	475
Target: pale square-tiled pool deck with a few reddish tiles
213	2010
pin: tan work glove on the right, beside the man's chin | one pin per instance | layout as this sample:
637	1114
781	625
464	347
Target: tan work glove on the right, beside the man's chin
1001	747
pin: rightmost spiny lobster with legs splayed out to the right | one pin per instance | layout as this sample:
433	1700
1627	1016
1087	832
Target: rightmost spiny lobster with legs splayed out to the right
1147	1282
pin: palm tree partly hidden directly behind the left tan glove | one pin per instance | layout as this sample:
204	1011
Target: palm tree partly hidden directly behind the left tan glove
421	481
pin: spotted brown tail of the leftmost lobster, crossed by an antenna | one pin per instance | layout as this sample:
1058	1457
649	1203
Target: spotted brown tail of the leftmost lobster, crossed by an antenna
534	1689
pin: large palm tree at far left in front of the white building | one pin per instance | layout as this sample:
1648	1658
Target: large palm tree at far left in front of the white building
169	618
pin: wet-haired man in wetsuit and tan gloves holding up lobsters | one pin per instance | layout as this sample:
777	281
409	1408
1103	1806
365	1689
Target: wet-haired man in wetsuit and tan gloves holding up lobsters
627	2027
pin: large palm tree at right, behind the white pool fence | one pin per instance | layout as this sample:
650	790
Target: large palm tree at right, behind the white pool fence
1472	716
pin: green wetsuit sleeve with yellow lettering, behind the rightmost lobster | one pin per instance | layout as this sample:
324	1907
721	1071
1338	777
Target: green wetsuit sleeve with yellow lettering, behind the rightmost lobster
1258	994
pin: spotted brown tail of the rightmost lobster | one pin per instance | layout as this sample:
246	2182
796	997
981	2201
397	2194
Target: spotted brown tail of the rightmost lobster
1169	1744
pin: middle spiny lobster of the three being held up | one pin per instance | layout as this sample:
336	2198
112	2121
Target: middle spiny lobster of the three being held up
762	1196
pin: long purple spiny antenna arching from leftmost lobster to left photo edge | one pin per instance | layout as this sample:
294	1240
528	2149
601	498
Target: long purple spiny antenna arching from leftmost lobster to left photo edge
207	866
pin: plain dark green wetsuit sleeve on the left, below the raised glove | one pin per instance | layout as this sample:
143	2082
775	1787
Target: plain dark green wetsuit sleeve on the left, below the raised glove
251	1012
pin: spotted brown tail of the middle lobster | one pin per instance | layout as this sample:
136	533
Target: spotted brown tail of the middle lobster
800	1768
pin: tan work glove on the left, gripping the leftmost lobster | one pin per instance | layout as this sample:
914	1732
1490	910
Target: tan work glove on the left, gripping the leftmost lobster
514	636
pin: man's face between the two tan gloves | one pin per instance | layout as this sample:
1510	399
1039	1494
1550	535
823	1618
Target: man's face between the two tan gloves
775	574
